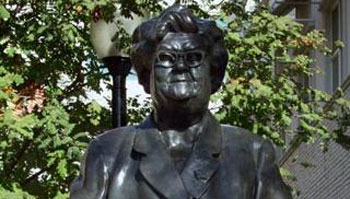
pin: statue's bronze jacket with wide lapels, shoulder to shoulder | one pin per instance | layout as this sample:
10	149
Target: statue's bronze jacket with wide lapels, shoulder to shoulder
134	163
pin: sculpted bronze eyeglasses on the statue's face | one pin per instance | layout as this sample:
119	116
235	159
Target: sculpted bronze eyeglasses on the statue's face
168	59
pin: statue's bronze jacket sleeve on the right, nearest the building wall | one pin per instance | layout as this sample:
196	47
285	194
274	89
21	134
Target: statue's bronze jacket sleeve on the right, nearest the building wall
269	181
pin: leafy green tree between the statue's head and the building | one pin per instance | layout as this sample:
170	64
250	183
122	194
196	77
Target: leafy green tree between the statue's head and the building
268	57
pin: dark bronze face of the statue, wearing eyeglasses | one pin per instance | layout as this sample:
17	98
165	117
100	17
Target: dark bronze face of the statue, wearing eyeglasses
181	71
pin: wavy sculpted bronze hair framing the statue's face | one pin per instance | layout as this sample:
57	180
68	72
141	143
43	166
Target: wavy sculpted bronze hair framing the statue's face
177	19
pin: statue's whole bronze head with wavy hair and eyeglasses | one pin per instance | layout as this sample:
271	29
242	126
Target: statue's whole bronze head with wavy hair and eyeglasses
179	58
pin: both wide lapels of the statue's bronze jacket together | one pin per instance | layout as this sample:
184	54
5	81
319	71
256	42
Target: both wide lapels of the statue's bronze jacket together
159	170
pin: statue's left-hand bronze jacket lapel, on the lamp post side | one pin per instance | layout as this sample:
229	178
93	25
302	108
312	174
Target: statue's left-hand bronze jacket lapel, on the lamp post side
156	165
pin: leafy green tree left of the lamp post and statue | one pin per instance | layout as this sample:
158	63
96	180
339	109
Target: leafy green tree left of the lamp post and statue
45	123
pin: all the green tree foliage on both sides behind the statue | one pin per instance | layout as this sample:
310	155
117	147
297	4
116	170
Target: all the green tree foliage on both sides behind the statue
47	66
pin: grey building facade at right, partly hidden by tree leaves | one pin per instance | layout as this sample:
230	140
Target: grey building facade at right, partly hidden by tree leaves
322	175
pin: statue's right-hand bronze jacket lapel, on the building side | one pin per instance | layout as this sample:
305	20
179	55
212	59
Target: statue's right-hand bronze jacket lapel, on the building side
205	159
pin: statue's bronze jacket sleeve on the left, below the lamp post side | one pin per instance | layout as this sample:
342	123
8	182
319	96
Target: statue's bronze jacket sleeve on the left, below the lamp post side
93	176
